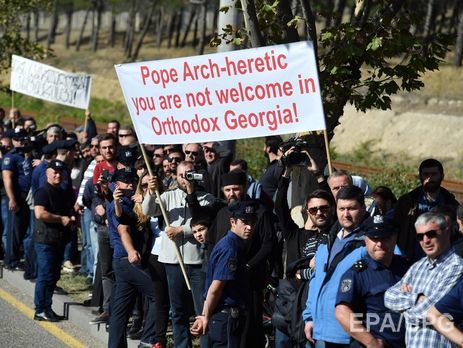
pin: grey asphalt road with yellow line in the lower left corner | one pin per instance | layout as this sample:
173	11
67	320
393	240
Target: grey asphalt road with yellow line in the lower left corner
18	329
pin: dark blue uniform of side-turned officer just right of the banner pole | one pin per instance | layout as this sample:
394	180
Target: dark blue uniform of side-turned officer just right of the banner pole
228	262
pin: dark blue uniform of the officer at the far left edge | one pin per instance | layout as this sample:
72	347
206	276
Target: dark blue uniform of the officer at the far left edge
18	221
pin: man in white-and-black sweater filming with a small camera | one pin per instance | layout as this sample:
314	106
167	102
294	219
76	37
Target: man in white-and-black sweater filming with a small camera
177	205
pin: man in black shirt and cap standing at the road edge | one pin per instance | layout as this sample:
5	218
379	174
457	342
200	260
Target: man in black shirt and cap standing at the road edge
54	213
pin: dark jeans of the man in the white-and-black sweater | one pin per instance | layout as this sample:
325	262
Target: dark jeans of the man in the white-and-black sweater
180	299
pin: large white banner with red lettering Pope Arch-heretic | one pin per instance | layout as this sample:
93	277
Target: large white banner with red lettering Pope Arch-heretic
232	95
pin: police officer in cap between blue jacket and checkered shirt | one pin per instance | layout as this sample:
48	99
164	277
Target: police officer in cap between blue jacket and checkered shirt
360	300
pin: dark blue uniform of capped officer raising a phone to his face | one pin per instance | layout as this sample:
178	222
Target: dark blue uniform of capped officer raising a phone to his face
130	278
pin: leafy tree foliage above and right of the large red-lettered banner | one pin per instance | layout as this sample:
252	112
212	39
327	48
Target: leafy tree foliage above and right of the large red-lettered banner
364	59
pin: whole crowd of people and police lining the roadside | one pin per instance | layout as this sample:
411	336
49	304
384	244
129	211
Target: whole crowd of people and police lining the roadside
184	235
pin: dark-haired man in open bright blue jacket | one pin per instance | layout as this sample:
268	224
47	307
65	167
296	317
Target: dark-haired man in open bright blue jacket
344	246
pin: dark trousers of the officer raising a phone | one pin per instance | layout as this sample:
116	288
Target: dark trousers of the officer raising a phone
130	278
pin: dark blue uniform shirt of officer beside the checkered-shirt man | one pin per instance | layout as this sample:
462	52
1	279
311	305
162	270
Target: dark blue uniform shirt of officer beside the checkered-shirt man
362	288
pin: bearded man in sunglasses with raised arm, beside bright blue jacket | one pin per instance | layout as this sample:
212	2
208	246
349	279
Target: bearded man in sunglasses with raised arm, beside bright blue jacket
300	245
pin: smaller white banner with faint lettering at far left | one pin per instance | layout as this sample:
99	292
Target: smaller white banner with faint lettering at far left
48	83
